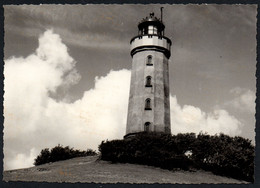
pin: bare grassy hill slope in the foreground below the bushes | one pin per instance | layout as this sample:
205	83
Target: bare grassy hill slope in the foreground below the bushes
91	169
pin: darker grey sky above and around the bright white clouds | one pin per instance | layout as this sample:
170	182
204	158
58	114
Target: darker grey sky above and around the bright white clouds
213	60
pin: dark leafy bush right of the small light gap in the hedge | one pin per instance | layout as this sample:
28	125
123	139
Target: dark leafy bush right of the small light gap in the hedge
225	155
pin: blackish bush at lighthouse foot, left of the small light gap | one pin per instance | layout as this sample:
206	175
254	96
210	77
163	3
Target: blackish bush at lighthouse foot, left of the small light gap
153	149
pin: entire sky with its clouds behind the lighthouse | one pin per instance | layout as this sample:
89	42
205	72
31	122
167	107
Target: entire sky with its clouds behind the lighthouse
67	73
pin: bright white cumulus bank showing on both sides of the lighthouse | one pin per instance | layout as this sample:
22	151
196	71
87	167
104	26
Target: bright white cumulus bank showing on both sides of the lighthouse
34	120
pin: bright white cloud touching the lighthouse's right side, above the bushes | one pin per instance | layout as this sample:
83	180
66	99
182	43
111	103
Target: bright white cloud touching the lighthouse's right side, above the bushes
192	119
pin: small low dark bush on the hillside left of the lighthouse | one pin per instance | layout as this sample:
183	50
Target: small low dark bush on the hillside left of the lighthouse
59	153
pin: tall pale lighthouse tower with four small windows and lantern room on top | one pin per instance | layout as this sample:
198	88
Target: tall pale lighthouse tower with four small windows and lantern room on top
149	105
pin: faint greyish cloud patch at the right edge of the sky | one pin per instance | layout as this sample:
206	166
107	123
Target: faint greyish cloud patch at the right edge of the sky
244	100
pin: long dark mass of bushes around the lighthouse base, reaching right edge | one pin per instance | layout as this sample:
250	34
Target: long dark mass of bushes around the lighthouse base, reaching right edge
221	154
